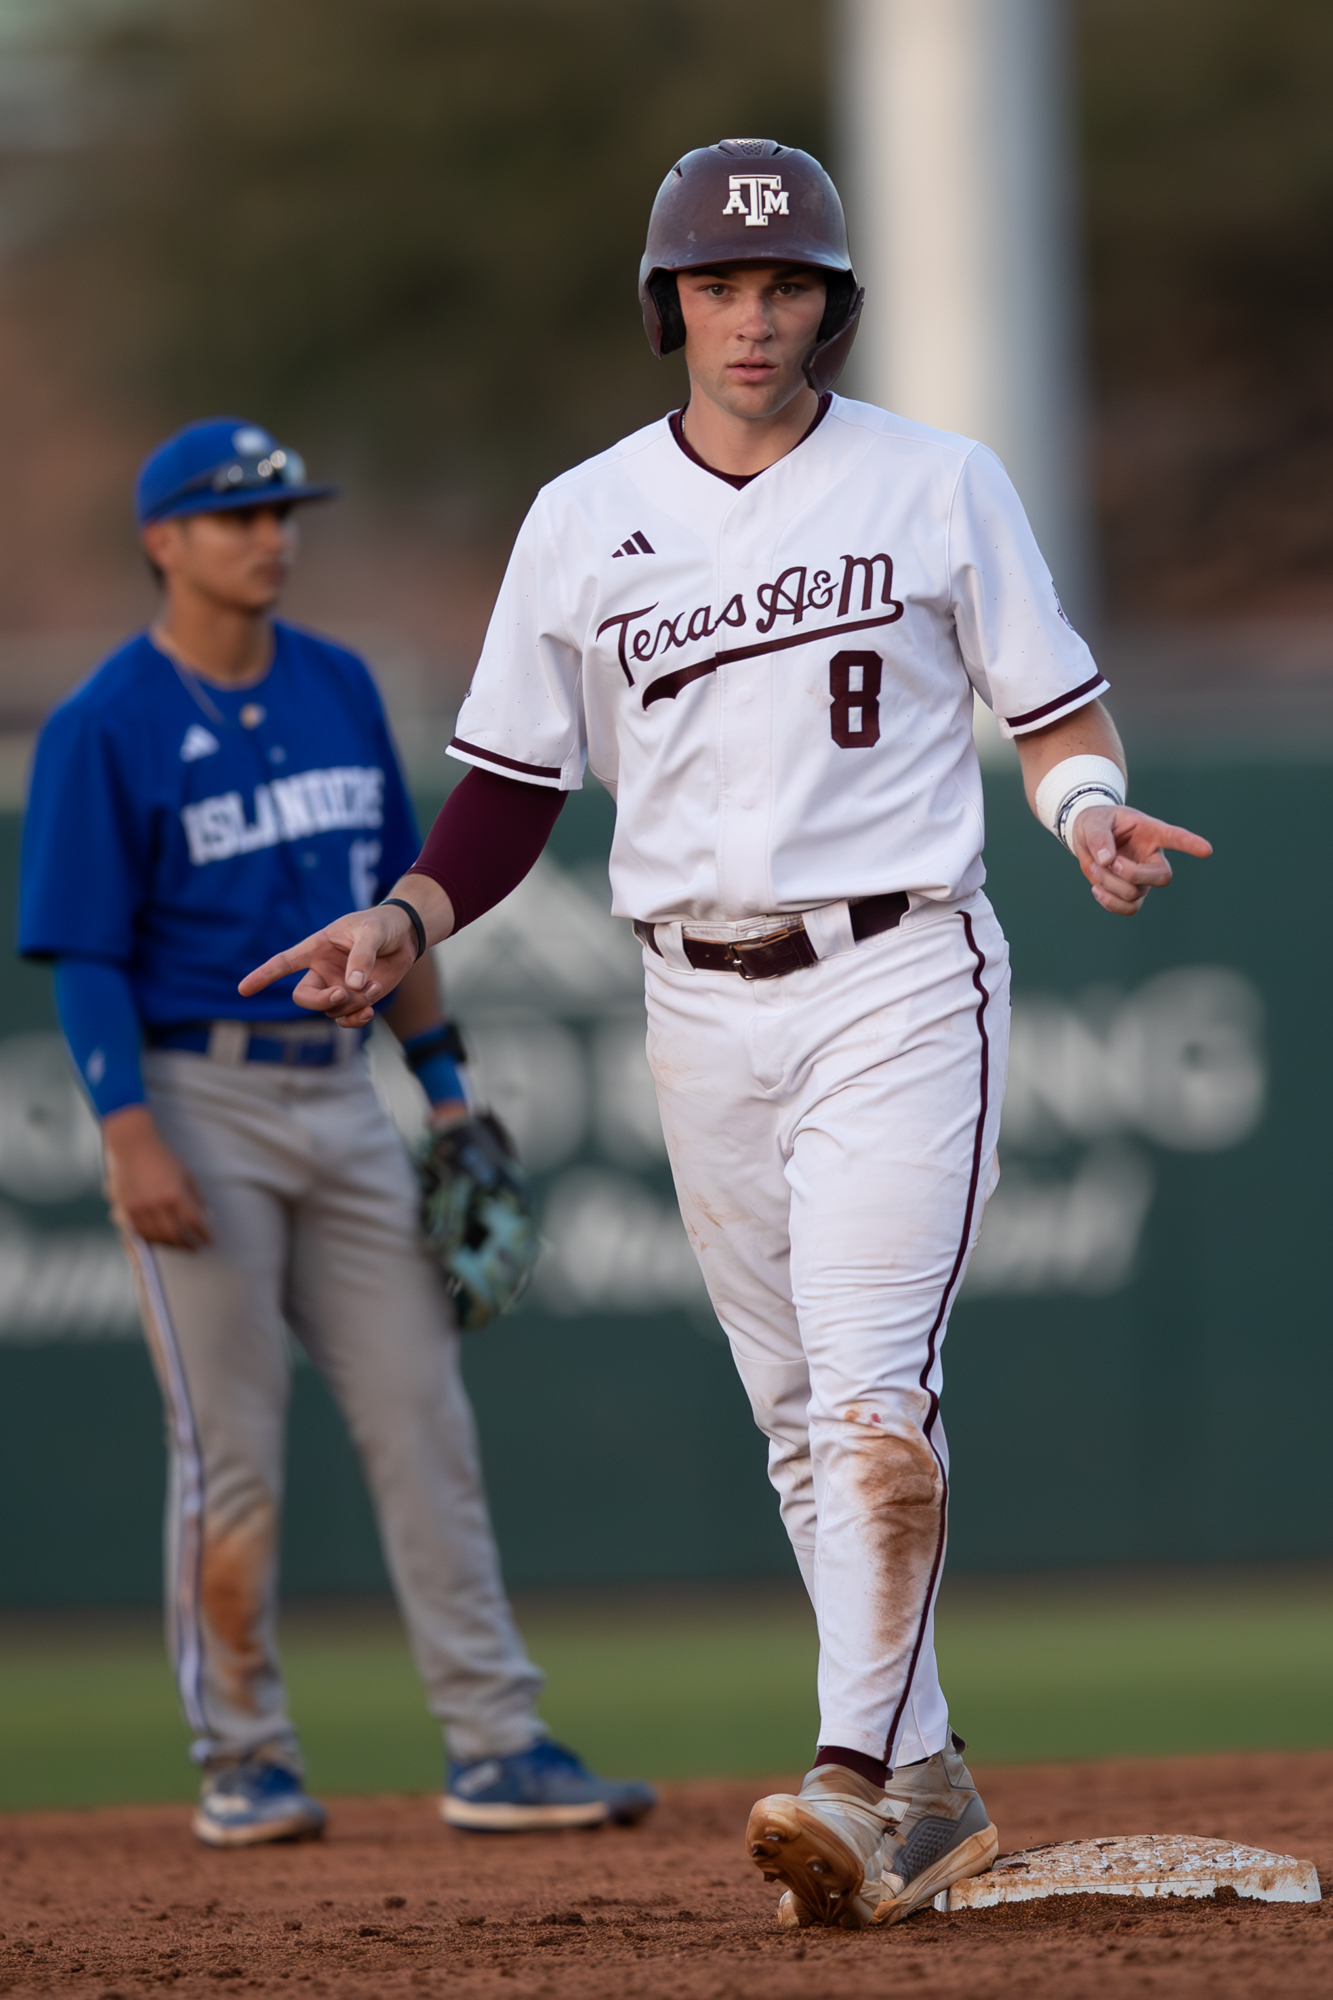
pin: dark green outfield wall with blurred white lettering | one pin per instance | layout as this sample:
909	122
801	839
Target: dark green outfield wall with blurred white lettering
1138	1373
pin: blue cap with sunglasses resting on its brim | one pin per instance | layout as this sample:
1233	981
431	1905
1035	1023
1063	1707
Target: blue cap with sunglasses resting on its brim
219	465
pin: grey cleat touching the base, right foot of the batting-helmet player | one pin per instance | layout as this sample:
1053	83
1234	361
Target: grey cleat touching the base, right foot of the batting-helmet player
942	1835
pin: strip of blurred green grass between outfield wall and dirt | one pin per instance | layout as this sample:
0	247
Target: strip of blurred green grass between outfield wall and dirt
720	1681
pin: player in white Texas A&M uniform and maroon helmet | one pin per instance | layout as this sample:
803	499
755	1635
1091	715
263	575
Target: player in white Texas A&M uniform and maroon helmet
762	623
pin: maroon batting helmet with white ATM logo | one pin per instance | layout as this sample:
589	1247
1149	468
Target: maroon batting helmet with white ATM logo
712	211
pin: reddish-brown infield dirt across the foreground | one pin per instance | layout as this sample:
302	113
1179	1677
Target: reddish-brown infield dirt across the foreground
121	1903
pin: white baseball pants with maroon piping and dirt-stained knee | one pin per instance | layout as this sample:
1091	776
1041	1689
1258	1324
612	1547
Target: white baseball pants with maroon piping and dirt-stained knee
834	1147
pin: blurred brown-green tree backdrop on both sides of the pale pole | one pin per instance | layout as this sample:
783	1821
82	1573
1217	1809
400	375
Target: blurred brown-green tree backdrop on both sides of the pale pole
407	231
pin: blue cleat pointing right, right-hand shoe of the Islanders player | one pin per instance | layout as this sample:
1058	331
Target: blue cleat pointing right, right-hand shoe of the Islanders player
539	1789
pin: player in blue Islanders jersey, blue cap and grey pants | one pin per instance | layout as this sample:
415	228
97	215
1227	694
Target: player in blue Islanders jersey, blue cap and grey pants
217	783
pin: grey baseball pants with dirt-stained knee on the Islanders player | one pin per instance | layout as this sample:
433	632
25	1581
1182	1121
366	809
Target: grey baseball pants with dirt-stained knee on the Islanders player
313	1211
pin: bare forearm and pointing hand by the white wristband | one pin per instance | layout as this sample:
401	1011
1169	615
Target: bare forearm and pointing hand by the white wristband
1122	851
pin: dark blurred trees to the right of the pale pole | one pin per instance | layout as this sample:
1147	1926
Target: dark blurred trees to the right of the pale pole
1208	157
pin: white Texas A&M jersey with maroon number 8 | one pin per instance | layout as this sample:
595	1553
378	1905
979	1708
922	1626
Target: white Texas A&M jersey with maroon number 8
776	681
